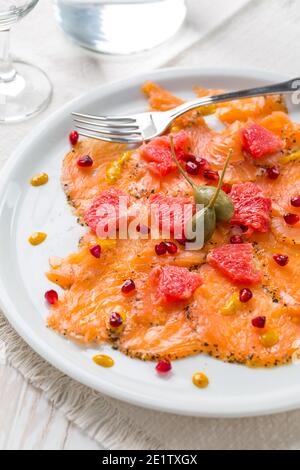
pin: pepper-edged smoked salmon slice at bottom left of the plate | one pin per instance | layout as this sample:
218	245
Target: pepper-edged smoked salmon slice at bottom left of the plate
85	277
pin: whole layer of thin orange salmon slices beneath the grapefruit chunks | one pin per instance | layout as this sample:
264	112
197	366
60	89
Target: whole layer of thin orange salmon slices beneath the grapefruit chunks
92	287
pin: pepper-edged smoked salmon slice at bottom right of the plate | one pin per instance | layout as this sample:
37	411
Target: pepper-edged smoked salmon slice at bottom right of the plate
233	338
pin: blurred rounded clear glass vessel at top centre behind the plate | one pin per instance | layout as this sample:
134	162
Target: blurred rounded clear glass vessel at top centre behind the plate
120	26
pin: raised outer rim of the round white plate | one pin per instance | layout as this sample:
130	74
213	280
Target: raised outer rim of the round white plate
276	404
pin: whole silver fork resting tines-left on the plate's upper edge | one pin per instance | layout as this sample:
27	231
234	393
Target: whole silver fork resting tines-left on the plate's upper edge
145	126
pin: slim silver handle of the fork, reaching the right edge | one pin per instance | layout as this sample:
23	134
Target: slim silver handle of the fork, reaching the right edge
285	87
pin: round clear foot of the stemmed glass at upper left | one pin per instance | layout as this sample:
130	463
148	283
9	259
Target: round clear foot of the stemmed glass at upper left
26	95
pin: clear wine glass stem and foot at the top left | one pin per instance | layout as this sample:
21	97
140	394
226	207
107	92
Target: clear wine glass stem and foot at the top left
25	90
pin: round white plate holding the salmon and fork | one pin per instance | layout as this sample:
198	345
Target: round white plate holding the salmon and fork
234	390
